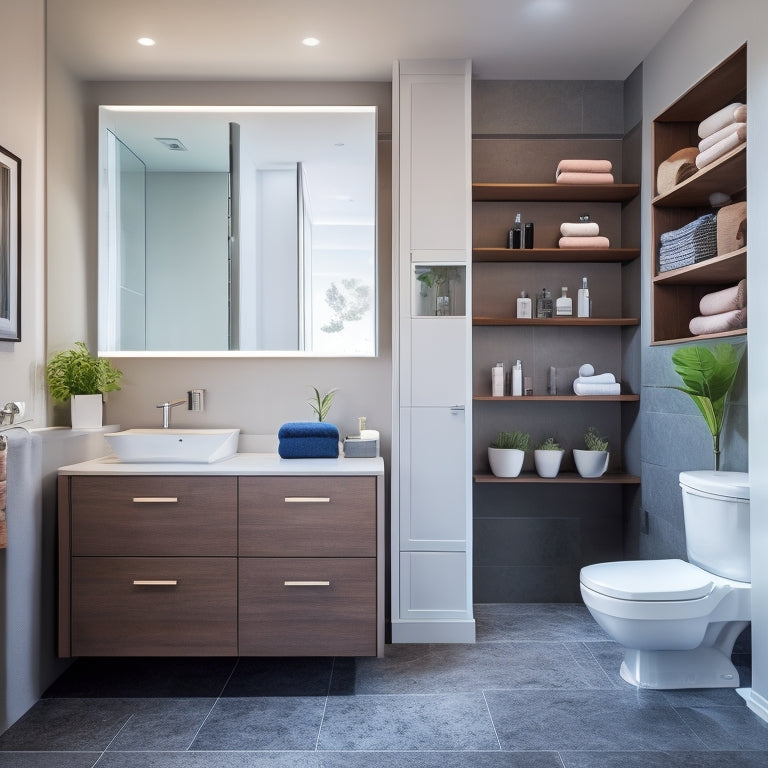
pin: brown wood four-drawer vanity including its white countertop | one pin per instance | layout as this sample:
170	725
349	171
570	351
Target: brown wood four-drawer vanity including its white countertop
252	556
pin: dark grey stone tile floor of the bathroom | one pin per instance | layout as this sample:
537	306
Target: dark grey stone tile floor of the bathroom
540	689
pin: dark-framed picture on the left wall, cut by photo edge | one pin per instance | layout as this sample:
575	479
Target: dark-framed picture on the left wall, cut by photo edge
10	246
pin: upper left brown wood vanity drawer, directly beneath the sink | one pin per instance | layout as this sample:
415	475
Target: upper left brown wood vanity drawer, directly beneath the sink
146	516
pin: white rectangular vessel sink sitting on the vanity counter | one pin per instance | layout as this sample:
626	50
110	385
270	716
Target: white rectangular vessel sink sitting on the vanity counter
173	445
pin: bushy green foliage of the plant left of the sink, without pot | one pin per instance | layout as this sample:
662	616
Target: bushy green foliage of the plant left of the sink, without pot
76	372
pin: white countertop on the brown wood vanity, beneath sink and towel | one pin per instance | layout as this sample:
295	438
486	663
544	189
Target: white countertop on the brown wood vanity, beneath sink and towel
239	464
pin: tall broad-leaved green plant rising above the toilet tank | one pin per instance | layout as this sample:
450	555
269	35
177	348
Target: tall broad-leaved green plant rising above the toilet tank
708	374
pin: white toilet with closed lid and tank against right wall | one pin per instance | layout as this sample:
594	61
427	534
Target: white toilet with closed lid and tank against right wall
679	620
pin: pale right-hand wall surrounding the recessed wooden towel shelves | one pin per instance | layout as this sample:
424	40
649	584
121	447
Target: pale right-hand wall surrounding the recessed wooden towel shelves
708	32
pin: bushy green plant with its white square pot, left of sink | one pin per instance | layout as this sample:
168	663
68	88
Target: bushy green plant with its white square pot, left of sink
76	375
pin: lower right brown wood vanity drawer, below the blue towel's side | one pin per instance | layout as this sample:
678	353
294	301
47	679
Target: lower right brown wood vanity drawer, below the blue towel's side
307	606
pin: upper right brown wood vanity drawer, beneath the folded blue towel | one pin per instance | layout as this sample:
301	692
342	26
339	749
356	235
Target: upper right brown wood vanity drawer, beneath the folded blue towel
315	516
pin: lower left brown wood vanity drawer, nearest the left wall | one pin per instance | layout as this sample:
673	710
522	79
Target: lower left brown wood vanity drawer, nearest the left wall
185	607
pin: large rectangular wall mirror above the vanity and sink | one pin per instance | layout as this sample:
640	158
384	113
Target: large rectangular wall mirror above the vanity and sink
237	230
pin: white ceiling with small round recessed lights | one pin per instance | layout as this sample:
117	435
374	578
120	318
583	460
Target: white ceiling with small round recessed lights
359	39
